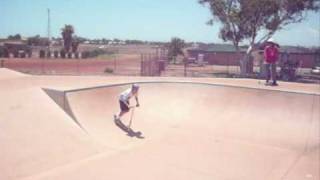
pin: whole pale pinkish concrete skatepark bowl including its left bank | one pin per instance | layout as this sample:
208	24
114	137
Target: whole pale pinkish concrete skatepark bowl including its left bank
191	131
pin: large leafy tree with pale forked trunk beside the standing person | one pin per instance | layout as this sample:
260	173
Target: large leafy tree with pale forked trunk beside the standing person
249	19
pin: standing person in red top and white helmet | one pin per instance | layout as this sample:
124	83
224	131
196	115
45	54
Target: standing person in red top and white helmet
271	54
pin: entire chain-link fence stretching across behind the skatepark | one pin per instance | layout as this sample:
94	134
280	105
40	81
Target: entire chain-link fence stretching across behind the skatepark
145	64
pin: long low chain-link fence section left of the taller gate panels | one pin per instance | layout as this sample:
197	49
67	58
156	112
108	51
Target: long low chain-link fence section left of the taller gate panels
74	66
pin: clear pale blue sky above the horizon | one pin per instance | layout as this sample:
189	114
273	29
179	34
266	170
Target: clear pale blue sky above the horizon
149	20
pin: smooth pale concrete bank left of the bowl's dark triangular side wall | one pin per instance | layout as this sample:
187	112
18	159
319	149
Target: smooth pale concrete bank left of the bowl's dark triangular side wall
36	135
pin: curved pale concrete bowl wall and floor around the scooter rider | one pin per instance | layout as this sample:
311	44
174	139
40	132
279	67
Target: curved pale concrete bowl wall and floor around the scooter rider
196	131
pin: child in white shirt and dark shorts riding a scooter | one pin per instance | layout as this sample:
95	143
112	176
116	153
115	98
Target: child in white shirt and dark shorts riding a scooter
124	101
